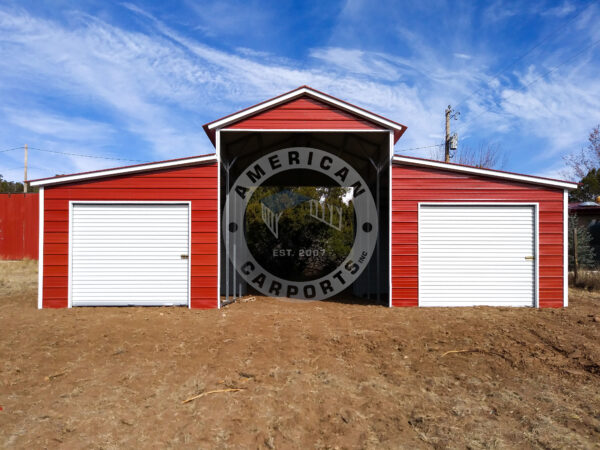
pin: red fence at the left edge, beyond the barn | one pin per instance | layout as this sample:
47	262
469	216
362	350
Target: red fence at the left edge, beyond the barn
19	225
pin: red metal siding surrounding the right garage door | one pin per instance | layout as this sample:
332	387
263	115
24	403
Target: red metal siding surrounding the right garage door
411	185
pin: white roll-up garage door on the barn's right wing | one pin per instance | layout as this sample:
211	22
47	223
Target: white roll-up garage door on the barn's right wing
476	255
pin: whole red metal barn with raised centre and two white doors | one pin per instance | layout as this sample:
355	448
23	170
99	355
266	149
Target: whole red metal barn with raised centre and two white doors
424	233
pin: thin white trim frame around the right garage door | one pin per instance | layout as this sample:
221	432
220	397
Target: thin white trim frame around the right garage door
536	208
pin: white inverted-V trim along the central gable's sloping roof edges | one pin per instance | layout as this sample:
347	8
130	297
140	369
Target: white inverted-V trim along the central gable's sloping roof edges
297	93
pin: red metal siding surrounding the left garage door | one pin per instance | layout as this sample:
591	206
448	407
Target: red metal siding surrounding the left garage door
196	184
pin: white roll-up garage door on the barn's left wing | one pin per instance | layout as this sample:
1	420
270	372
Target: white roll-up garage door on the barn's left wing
129	254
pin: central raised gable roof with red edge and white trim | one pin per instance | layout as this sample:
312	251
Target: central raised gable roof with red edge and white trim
305	91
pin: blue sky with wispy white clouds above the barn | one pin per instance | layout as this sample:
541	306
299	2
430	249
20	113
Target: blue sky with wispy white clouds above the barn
135	81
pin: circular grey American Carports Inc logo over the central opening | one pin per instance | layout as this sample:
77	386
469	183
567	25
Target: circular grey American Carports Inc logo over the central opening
300	223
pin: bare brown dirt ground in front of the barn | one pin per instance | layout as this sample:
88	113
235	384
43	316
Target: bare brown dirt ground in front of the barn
314	375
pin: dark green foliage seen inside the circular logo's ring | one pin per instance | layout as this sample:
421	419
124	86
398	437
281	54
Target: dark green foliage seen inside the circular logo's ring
300	233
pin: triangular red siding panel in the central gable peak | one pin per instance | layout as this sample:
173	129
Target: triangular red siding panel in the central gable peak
305	113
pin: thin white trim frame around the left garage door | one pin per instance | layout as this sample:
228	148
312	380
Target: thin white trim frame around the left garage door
131	202
